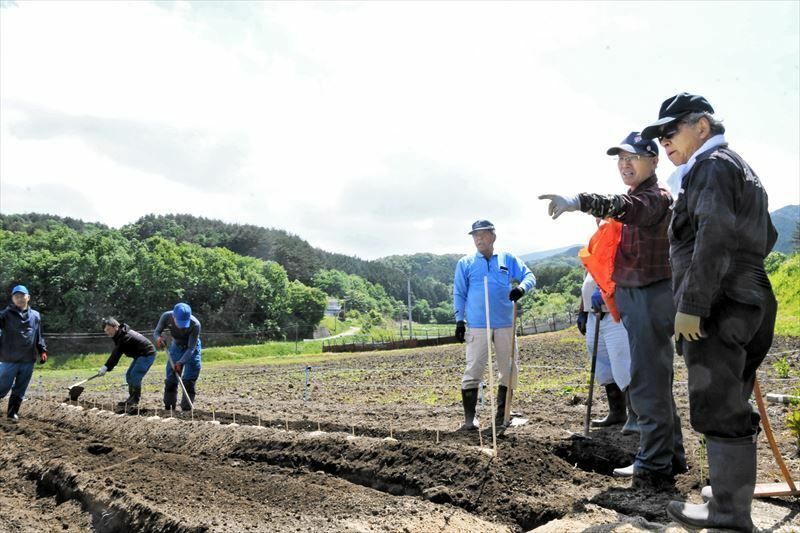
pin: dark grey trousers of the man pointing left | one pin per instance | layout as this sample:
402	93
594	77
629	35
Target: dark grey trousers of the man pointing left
649	316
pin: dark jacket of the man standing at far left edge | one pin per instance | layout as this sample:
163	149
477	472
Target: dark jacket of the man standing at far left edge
22	340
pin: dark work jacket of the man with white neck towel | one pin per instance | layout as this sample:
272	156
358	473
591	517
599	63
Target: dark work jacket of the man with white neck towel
720	233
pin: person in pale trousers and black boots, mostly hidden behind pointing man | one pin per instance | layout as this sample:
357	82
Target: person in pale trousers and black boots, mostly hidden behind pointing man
613	365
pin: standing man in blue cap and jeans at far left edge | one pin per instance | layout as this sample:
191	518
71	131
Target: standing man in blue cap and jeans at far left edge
21	346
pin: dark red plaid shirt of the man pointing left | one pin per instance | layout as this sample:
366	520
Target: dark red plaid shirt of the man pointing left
643	254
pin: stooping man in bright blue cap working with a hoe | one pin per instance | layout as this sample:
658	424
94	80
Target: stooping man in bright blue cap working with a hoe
184	353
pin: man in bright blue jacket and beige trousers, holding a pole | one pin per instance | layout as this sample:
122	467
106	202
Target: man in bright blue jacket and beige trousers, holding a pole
469	302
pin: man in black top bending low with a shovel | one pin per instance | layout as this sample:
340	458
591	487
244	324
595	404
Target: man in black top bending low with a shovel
132	344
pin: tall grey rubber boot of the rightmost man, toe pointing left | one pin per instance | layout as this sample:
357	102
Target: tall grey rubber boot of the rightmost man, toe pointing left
732	467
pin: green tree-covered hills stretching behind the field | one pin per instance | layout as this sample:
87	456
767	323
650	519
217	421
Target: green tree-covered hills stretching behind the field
237	277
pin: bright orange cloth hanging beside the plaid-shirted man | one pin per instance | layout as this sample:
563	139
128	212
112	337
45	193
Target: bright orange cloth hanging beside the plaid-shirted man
598	258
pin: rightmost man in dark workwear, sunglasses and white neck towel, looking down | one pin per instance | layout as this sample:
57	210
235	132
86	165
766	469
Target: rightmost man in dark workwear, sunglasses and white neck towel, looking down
719	235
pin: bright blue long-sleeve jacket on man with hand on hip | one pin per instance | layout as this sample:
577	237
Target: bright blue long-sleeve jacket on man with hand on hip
468	297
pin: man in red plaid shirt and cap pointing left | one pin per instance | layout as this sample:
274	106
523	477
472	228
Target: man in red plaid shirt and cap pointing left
642	276
